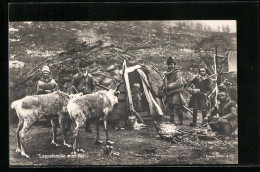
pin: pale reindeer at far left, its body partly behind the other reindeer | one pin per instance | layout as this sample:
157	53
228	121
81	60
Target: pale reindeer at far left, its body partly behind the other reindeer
47	106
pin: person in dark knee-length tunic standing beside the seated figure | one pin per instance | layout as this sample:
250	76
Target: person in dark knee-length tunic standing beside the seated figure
200	88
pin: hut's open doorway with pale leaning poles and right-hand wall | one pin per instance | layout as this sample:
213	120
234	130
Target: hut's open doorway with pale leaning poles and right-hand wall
150	83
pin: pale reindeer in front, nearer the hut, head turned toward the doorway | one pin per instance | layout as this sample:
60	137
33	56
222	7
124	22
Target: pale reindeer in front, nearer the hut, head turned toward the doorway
96	106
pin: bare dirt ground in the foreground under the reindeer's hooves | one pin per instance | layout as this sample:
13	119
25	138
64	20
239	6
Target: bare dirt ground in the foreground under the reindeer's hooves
130	148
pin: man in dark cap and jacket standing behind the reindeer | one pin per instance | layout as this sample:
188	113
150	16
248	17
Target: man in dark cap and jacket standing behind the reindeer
83	82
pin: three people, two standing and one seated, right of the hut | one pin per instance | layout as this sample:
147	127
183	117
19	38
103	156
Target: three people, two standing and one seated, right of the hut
221	115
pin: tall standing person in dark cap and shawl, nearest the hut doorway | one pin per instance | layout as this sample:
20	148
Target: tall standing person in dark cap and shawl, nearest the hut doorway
174	85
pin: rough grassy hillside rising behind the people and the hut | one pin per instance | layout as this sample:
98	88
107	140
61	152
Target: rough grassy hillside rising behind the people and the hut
104	46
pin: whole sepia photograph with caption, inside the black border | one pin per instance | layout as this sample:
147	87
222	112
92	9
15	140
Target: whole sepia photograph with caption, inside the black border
139	92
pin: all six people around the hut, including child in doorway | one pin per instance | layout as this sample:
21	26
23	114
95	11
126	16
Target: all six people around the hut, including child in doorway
221	117
